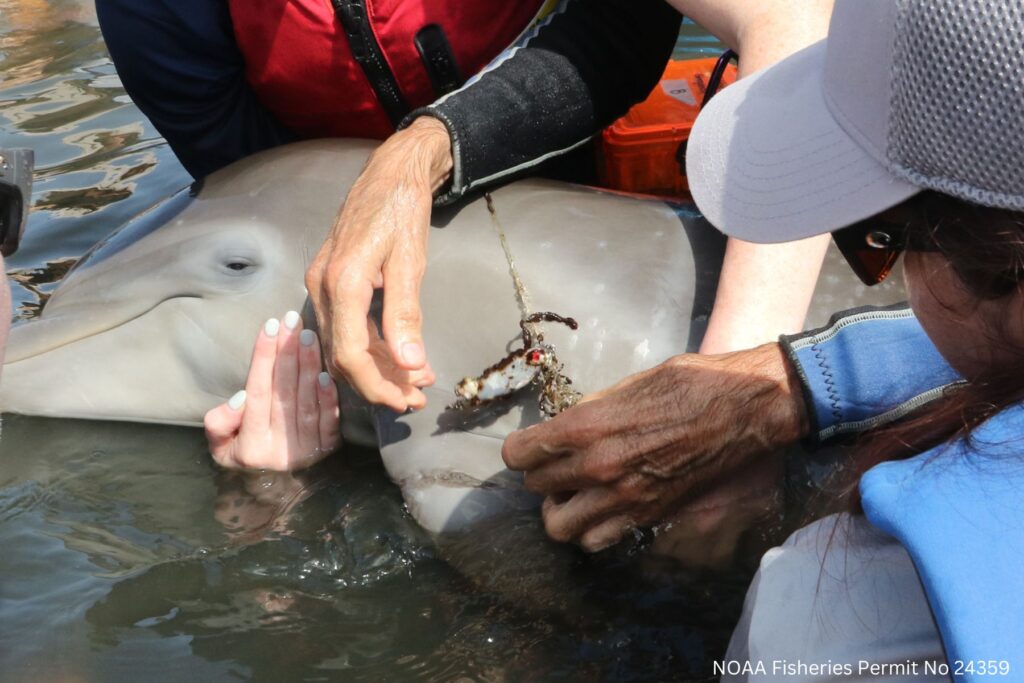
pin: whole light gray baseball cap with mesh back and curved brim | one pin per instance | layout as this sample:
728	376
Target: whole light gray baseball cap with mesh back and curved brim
904	96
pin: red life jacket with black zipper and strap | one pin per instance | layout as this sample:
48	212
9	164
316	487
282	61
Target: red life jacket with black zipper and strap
354	69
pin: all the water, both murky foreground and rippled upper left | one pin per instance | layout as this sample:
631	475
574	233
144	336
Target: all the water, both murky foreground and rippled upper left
127	556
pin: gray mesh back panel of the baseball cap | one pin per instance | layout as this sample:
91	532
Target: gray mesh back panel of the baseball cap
957	122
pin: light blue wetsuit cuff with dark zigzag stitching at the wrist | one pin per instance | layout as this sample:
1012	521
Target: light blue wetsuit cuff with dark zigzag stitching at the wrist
868	367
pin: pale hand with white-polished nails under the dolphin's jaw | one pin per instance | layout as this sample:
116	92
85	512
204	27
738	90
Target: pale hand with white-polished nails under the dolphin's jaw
288	417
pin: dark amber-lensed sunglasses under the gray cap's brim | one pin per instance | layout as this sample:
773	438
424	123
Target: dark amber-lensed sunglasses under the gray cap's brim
872	247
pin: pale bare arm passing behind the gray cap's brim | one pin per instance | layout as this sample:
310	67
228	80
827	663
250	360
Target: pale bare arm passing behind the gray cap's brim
782	276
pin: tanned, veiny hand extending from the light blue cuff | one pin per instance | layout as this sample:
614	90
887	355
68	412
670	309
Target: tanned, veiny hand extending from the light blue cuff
630	455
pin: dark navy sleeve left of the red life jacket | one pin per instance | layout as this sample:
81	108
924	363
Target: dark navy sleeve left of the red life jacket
181	65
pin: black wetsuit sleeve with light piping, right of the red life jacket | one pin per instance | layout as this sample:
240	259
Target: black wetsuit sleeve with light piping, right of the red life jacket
582	71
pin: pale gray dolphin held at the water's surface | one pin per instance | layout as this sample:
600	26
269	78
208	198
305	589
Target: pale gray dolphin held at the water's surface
157	323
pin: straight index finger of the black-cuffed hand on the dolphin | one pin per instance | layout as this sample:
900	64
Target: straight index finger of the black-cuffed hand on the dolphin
403	318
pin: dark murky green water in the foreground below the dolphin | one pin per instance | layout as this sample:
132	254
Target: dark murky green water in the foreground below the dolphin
129	548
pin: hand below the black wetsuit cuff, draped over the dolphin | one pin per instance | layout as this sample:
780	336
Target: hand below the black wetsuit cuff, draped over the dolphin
378	241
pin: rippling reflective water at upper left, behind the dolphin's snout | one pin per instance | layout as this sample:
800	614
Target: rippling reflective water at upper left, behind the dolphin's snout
99	162
